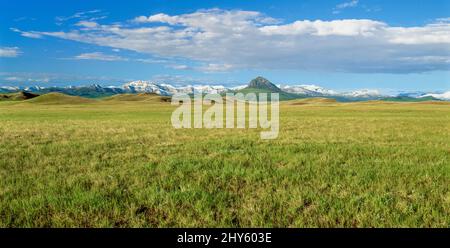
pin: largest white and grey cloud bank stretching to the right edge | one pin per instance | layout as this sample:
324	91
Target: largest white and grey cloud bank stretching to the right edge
224	40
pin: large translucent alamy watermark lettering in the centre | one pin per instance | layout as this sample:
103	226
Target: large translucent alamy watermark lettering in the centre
229	111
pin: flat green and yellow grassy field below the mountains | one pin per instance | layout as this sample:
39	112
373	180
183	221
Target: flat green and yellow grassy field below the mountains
121	164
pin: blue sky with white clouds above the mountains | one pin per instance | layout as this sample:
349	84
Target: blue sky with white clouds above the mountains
343	45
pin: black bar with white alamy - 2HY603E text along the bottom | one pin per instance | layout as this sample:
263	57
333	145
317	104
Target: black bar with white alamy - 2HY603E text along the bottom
277	237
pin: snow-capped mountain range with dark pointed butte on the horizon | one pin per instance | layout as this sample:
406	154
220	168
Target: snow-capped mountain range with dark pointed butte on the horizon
256	85
